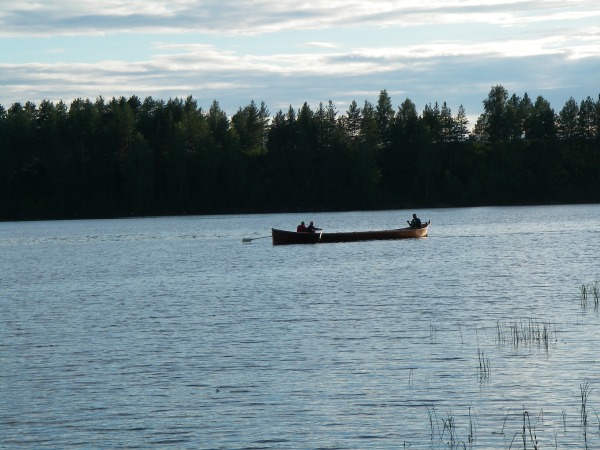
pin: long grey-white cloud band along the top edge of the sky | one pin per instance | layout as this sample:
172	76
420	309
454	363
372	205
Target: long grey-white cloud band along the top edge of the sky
68	17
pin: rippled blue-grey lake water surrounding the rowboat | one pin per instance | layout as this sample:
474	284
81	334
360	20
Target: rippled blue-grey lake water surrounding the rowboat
172	333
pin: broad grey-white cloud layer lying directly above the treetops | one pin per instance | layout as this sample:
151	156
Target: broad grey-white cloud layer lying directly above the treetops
425	74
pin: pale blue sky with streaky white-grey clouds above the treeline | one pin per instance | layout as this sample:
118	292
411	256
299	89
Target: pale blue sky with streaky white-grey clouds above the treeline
285	52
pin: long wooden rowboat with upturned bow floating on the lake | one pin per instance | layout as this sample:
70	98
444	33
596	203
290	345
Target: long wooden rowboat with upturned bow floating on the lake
283	237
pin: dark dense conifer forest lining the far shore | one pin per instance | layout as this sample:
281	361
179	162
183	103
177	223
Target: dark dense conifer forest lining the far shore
128	157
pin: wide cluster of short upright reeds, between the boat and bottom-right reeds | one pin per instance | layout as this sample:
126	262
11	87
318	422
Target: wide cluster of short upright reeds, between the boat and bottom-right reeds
526	333
